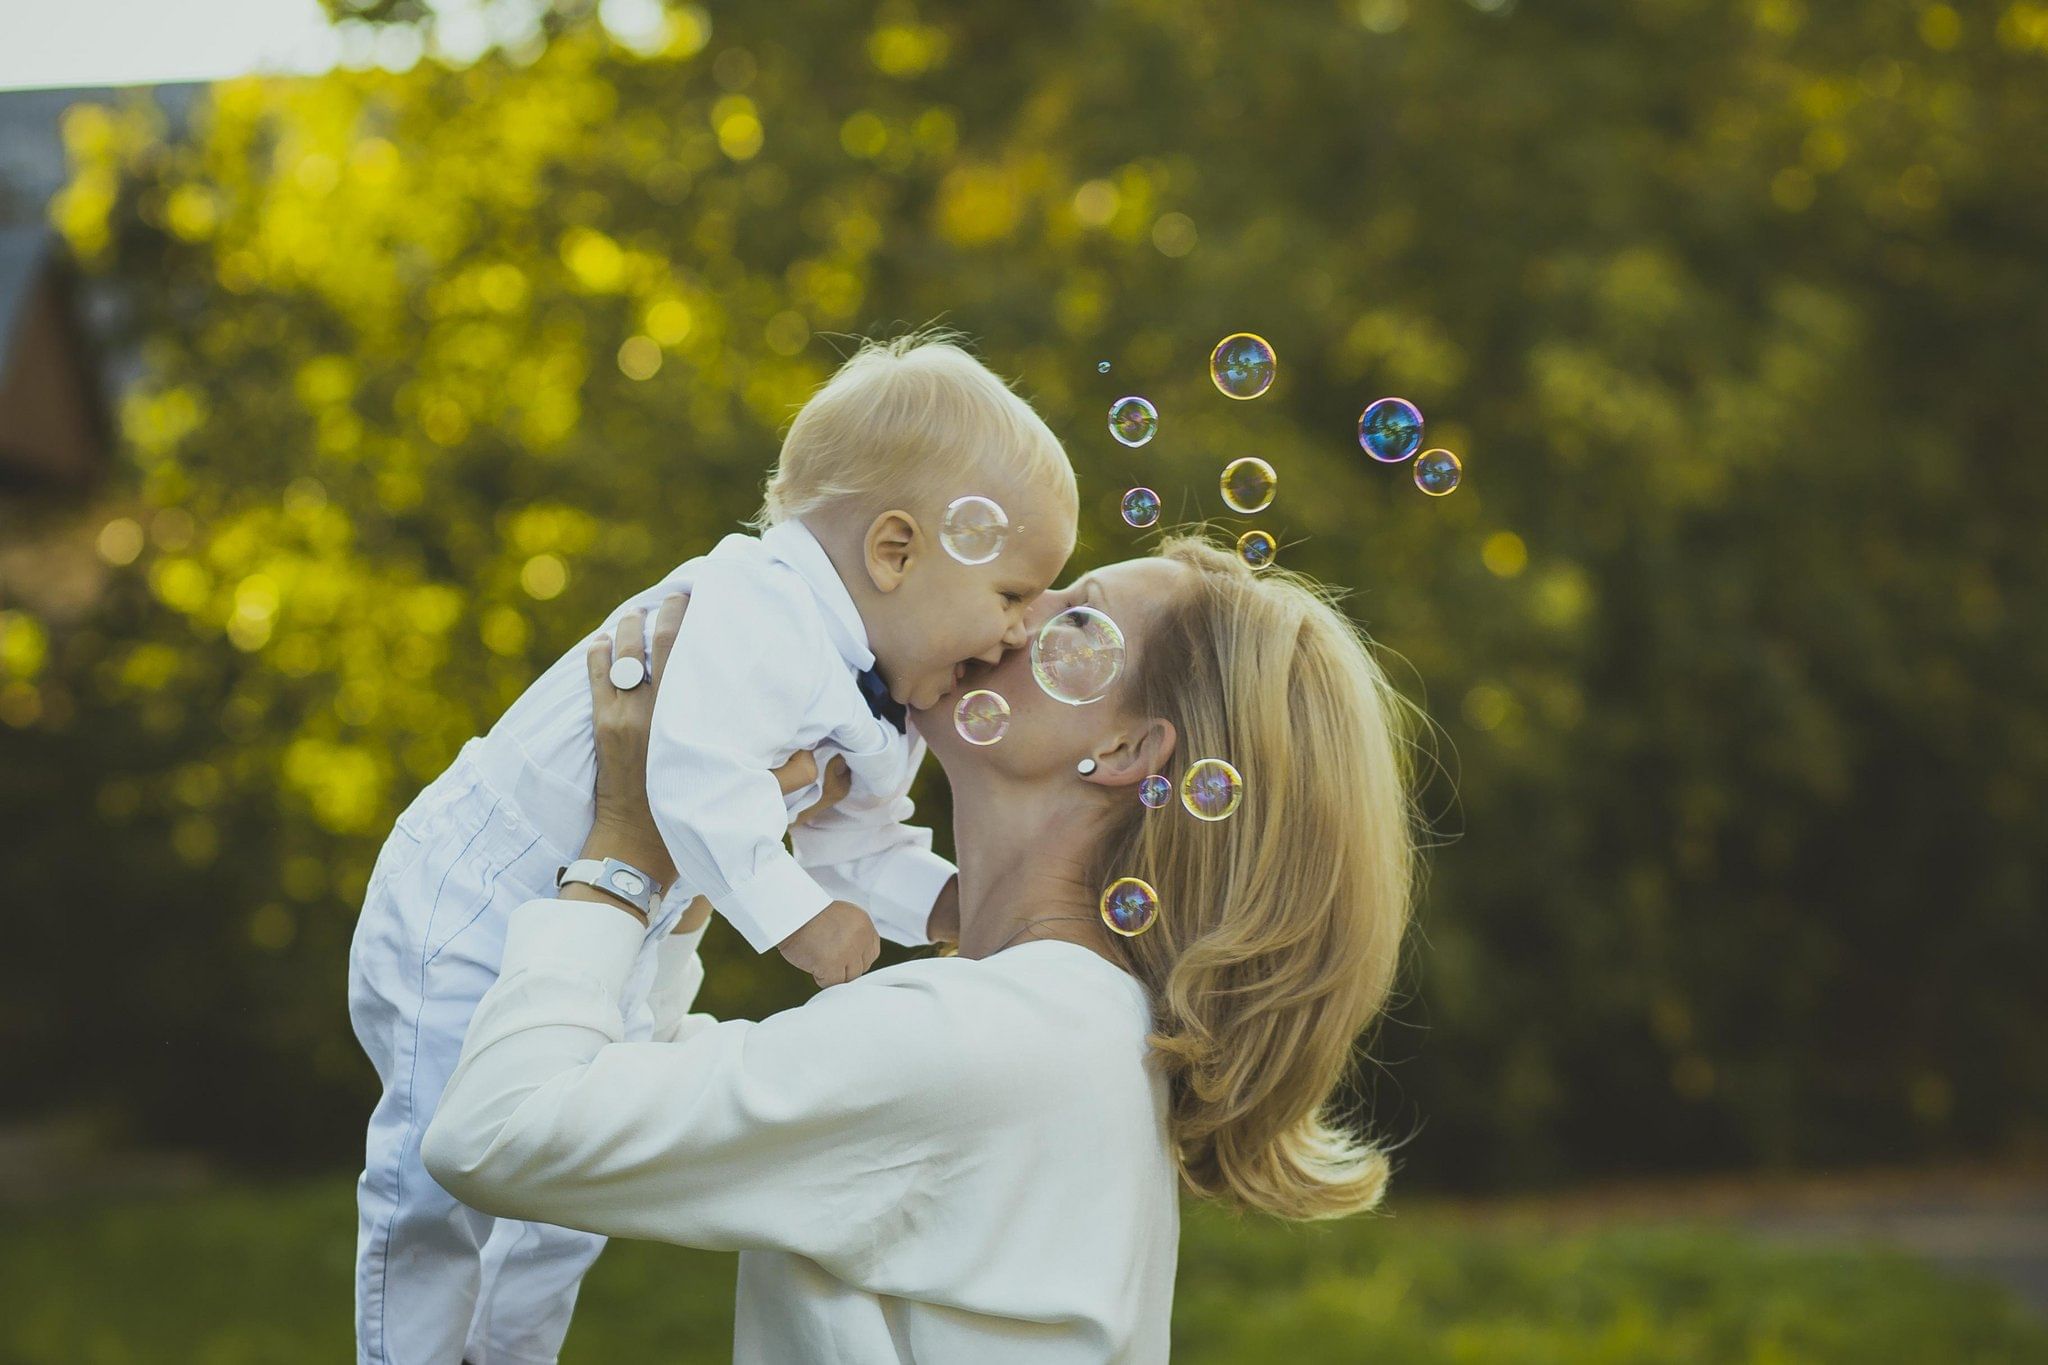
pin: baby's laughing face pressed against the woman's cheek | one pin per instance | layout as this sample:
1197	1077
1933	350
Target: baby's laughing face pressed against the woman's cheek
947	615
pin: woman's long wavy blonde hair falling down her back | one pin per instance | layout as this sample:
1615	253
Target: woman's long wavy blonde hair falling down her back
1281	928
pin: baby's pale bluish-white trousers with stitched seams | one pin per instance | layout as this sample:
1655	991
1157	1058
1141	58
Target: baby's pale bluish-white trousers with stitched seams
439	1282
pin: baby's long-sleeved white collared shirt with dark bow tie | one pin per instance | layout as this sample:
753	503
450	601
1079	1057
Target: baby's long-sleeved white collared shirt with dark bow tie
765	666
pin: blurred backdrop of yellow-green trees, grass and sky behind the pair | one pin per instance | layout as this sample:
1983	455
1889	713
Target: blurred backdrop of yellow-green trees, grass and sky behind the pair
341	398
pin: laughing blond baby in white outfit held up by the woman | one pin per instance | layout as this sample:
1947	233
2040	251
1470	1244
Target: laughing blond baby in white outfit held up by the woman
861	599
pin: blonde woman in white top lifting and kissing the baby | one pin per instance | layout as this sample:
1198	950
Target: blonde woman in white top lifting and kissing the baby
976	1157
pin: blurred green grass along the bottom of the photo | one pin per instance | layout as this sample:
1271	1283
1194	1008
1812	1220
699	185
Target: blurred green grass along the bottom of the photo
261	1276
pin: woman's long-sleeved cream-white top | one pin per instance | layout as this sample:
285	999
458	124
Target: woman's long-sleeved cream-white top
943	1161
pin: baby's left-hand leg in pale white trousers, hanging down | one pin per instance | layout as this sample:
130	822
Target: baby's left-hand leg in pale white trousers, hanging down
425	953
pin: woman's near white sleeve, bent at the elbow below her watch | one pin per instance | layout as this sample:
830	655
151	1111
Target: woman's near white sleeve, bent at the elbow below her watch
810	1133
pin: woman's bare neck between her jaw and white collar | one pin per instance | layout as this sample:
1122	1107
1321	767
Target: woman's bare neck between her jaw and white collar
1023	873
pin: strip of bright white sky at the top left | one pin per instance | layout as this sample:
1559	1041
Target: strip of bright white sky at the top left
151	42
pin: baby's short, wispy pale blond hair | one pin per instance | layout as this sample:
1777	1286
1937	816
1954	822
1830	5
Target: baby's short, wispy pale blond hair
906	421
